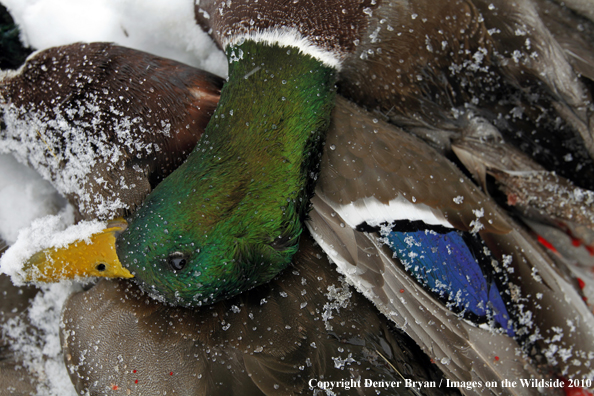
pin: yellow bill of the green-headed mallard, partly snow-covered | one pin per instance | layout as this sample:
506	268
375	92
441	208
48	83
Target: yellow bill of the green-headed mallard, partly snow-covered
79	259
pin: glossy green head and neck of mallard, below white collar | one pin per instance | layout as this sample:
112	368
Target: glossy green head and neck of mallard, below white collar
230	217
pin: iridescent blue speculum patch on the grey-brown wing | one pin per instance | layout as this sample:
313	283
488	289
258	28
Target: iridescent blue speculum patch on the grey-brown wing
444	264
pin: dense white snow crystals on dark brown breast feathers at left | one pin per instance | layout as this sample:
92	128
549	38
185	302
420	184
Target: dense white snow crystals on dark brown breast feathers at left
33	136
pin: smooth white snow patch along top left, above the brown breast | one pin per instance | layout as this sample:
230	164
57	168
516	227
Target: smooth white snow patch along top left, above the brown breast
163	27
